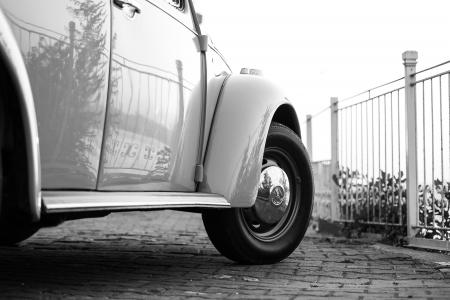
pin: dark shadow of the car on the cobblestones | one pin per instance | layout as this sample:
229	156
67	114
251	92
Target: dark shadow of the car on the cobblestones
114	264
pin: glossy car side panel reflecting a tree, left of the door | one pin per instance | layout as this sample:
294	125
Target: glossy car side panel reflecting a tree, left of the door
66	48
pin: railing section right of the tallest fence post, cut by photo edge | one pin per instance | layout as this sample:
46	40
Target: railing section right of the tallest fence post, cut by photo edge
431	212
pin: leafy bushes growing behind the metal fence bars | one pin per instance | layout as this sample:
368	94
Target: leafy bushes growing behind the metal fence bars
378	204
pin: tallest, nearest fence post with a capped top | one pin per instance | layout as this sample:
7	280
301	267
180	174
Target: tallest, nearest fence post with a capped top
410	61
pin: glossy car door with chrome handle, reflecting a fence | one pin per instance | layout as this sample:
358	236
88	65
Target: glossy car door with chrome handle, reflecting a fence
153	118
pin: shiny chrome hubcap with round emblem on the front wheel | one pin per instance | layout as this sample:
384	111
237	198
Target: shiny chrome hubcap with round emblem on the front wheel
273	195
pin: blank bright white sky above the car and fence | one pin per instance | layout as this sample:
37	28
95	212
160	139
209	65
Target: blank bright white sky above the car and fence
318	49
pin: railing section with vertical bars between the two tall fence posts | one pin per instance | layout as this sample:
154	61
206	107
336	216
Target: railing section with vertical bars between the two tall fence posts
370	160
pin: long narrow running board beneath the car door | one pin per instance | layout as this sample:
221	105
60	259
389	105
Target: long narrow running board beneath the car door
84	201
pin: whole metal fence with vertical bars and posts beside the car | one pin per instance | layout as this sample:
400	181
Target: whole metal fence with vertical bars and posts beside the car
390	155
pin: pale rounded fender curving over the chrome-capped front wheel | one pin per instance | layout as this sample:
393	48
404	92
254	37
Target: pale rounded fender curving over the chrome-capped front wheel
235	148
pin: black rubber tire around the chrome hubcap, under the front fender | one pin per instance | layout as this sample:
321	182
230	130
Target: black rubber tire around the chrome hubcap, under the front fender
239	239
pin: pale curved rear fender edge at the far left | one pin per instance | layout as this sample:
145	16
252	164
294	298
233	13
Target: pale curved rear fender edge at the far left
15	69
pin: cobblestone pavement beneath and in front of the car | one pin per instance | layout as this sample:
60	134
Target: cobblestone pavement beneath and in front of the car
167	254
